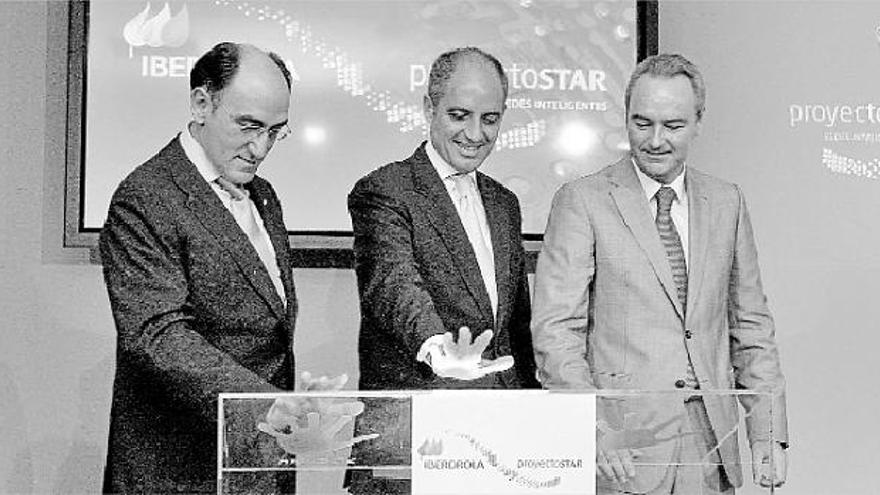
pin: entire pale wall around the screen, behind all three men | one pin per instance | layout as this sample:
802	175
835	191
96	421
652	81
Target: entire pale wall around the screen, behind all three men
815	230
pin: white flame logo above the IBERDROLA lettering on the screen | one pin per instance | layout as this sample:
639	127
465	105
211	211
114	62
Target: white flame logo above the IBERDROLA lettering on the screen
162	29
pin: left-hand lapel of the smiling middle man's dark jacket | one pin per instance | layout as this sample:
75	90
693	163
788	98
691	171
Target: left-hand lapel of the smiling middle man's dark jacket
435	203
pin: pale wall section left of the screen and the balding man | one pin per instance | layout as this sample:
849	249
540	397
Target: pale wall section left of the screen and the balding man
56	336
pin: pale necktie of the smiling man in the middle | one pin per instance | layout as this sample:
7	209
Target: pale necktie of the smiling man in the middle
470	220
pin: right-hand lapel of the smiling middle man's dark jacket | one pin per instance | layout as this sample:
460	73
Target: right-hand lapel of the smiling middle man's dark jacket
498	219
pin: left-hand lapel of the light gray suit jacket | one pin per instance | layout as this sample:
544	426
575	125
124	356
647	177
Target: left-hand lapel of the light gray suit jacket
630	199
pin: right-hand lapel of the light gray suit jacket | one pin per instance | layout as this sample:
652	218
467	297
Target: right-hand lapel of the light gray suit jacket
699	215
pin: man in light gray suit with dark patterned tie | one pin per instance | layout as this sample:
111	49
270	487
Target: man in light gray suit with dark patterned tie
648	280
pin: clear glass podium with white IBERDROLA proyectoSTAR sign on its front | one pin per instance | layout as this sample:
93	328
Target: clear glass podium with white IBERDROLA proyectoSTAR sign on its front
489	442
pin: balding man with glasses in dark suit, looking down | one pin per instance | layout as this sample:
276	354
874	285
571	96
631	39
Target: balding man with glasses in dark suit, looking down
197	266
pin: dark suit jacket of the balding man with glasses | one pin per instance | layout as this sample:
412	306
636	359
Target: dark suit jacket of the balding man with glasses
196	314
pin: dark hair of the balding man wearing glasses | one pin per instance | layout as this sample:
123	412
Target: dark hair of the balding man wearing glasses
216	68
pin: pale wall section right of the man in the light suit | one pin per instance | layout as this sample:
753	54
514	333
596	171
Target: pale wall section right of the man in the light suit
813	197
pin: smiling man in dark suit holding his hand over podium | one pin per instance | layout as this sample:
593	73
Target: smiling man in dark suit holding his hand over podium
438	247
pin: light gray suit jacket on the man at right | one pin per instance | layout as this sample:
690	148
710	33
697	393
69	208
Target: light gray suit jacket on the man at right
606	314
